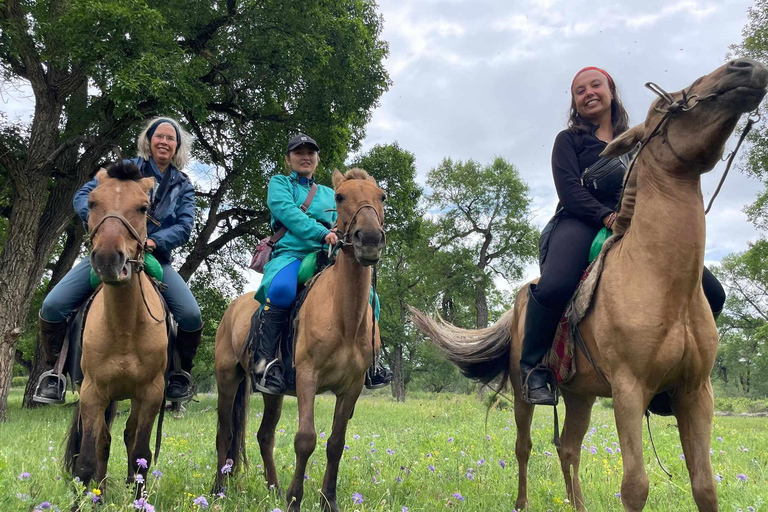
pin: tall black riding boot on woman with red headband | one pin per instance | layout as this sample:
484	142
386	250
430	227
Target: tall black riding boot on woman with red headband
540	328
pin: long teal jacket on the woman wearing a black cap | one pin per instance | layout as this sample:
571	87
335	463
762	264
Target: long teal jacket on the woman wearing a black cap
306	231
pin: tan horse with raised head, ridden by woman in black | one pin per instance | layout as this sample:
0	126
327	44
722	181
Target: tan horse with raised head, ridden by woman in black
649	328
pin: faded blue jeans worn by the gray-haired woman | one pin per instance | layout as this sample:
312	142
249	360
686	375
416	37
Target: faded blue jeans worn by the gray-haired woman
75	288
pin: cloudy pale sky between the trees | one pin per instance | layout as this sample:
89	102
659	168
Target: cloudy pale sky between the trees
479	79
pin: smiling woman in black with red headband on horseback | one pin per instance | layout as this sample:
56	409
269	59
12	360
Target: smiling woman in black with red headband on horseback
596	117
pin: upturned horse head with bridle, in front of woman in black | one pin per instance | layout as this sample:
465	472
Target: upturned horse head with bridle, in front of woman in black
685	132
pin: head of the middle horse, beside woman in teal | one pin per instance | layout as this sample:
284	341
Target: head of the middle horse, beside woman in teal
360	207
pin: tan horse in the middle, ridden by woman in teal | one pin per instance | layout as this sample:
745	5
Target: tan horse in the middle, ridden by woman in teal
332	353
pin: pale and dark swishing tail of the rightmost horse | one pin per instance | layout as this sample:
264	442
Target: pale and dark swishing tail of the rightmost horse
481	354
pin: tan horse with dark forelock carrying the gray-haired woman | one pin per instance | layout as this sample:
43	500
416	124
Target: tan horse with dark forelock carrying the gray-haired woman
124	346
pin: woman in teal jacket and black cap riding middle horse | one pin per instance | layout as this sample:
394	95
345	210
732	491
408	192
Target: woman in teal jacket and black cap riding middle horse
306	233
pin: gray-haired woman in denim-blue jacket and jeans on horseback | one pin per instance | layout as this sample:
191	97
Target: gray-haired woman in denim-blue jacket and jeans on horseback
164	149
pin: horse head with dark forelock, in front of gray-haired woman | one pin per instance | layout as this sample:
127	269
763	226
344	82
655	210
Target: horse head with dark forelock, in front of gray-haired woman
117	222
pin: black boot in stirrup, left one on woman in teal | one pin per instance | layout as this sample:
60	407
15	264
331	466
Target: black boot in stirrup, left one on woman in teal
273	320
